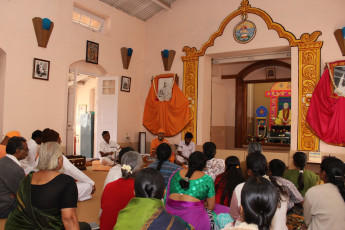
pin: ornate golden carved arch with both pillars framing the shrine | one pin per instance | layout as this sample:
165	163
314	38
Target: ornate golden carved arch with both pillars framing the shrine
309	51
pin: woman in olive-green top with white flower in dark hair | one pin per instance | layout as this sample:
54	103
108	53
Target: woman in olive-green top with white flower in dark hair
303	179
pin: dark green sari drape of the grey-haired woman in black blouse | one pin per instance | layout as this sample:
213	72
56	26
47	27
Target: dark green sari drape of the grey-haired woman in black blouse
26	216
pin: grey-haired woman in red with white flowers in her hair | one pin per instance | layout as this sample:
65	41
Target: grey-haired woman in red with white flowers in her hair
117	194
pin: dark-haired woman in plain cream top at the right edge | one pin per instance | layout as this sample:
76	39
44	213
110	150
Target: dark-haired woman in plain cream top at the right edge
324	205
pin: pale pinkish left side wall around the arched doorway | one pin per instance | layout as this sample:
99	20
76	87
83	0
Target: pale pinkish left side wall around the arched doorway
36	104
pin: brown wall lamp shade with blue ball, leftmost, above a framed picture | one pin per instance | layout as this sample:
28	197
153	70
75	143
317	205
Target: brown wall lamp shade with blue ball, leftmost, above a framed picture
43	29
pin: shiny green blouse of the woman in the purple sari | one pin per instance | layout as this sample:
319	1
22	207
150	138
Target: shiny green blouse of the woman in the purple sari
201	188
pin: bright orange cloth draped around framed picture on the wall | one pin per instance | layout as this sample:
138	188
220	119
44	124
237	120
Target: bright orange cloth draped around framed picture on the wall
172	115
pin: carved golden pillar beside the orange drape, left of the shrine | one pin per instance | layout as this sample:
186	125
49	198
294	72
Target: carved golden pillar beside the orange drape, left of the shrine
190	87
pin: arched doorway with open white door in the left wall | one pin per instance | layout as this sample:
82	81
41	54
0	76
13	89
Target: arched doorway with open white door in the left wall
91	96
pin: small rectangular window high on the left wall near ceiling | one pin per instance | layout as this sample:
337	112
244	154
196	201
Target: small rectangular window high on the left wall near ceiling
88	20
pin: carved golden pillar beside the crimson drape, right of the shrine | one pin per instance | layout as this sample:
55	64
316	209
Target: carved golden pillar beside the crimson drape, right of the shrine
308	76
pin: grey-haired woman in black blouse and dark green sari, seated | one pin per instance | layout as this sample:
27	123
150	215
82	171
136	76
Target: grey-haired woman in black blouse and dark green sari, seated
47	199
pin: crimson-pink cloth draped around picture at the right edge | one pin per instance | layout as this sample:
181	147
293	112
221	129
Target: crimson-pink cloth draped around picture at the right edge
326	114
